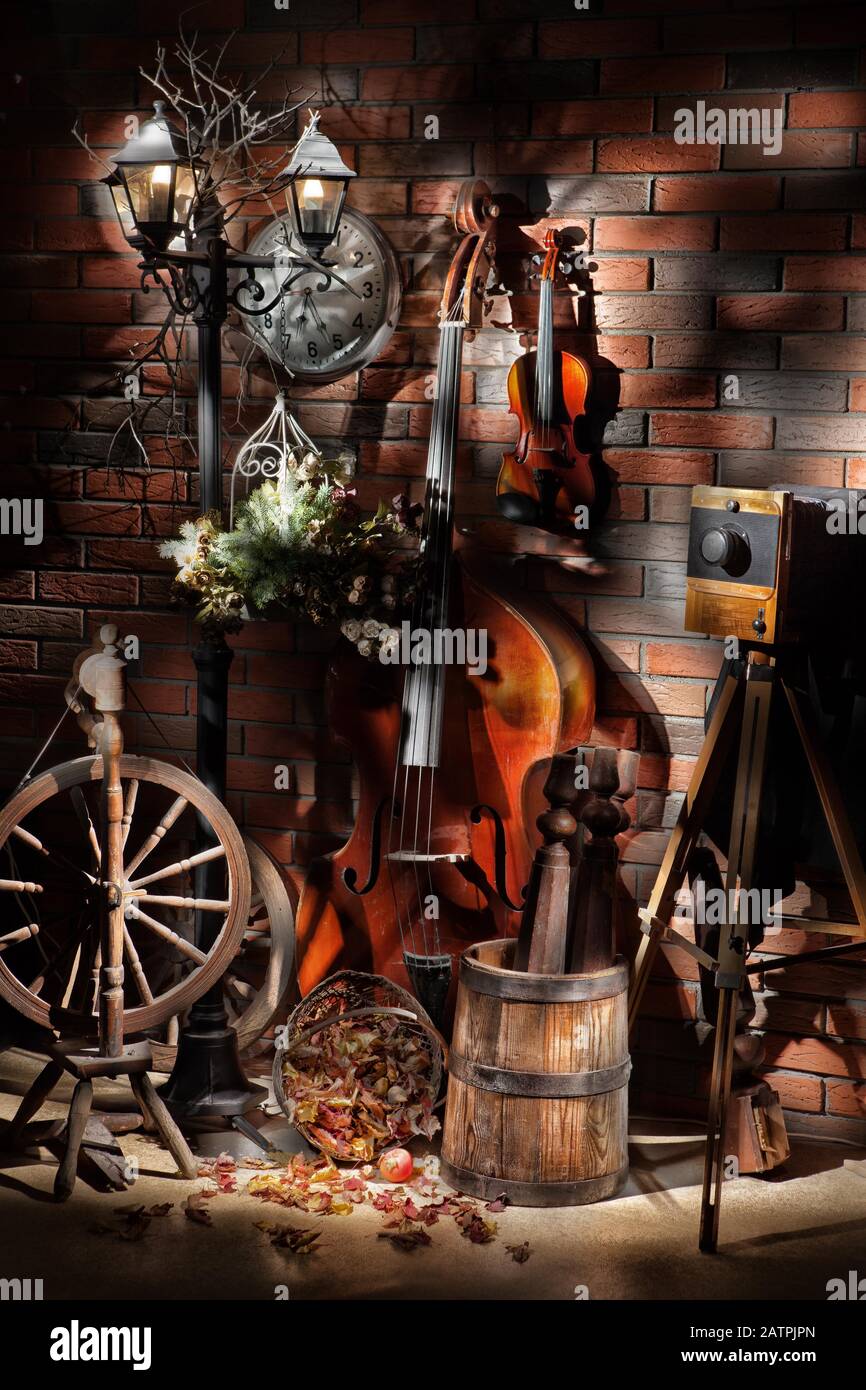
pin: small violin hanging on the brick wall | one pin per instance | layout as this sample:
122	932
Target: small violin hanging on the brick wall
547	477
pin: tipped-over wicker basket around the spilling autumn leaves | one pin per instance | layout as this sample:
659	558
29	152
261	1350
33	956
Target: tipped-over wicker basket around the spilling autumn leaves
354	995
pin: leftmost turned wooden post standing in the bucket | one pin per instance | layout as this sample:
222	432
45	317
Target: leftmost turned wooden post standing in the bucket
541	945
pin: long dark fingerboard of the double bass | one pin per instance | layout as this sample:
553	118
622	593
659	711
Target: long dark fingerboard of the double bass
425	686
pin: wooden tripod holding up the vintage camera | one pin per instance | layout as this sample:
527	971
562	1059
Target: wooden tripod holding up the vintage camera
743	715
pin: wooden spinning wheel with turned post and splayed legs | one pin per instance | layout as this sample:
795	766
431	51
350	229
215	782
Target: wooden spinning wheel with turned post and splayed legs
91	943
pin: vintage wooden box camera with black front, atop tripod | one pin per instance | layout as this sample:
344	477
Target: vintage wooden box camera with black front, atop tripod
772	566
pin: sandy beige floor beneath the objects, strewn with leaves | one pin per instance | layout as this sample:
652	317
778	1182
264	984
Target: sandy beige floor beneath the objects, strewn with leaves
781	1239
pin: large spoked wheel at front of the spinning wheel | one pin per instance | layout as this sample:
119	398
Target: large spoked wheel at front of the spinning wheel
52	894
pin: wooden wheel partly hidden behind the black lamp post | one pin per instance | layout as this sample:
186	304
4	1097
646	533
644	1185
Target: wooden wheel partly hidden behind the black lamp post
259	978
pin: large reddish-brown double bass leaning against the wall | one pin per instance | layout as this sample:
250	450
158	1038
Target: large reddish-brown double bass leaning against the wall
440	854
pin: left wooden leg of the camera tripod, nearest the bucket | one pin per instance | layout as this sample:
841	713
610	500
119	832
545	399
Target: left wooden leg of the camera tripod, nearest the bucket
690	824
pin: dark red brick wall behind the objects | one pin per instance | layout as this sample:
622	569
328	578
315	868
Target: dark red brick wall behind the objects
707	263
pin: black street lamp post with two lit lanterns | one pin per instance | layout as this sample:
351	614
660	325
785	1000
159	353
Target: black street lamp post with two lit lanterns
159	197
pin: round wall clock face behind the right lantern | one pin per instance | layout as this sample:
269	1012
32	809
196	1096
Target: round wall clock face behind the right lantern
326	327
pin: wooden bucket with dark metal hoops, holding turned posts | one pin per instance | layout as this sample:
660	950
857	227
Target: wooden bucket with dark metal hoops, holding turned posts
537	1096
